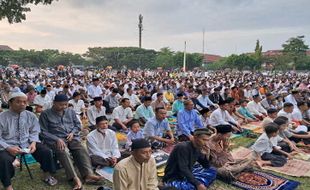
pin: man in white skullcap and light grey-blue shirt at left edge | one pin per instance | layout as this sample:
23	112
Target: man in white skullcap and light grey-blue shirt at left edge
19	134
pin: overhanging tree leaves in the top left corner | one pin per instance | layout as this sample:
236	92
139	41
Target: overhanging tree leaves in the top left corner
15	10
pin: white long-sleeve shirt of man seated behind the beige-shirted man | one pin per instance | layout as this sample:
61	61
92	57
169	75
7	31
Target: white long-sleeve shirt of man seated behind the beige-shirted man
105	146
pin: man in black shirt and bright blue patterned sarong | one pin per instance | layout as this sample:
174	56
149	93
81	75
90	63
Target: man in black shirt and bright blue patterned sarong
179	171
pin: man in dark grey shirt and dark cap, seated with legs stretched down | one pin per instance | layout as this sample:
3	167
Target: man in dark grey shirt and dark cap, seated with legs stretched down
60	130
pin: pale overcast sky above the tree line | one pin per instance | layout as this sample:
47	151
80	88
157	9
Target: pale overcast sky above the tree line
232	26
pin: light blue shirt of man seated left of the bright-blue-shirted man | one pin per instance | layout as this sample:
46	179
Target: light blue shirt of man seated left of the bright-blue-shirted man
154	127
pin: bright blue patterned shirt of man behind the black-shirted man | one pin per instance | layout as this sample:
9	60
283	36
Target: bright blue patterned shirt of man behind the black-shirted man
187	120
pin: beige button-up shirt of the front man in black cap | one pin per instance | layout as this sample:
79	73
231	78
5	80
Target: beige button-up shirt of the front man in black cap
130	175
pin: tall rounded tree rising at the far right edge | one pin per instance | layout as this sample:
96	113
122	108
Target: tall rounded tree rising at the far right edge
296	49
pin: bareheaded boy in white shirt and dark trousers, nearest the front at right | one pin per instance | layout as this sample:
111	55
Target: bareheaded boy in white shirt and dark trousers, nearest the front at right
268	153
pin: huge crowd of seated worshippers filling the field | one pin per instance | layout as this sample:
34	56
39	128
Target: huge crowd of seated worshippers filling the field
51	114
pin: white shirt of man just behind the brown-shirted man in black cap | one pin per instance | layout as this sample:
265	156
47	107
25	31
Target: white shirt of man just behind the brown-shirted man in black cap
221	117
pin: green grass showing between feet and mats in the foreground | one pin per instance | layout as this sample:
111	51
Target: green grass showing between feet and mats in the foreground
22	181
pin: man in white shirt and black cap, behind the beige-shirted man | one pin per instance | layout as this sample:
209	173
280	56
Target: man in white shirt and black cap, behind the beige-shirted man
102	144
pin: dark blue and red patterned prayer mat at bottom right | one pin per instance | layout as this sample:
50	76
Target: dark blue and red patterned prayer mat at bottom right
258	180
